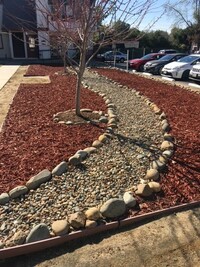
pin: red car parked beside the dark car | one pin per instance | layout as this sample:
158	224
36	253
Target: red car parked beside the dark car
138	63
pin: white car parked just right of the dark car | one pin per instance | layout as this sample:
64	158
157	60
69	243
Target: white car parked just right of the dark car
181	68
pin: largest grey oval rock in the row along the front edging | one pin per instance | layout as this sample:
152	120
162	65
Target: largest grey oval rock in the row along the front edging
113	208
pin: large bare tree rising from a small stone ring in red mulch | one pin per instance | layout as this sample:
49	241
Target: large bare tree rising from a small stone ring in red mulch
85	24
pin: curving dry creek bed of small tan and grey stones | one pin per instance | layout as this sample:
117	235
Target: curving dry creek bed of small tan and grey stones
77	198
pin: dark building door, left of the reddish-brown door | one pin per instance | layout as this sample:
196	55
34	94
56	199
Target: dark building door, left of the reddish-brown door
18	45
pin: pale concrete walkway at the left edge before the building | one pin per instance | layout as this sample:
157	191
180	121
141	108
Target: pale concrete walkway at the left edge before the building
6	72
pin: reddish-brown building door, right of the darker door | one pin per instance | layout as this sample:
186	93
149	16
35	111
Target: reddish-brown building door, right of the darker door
32	46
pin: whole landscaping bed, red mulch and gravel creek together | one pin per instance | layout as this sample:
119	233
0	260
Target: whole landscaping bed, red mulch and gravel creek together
31	141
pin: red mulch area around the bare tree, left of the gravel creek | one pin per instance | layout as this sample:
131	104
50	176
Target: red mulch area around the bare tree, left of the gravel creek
30	140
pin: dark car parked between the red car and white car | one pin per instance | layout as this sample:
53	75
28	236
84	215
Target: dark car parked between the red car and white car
155	66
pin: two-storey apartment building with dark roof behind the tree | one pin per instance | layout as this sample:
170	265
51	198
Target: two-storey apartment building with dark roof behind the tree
26	28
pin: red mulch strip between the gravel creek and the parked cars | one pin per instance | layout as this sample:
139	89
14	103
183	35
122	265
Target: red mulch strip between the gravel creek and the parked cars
181	184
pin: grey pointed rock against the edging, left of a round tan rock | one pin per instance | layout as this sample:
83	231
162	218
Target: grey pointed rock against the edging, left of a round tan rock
39	232
